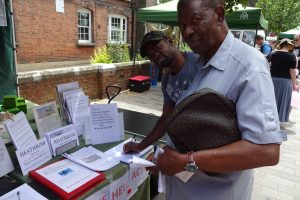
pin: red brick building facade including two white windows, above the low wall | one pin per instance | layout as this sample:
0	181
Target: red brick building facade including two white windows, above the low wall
68	30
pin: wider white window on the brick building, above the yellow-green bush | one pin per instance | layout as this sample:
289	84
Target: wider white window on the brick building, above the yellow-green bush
117	29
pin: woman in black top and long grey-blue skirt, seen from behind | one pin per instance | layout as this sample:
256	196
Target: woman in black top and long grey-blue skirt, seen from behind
283	71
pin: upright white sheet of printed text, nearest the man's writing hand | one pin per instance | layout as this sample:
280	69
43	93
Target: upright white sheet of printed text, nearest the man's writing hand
104	123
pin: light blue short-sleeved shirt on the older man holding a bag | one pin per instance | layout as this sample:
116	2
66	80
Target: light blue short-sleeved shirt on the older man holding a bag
241	73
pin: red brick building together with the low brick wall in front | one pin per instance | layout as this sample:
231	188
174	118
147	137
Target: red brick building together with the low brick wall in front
63	33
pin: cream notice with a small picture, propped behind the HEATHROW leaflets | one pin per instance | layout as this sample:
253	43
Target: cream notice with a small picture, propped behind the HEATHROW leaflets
46	117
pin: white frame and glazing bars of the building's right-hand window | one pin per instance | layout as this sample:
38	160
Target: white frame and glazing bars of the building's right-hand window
122	30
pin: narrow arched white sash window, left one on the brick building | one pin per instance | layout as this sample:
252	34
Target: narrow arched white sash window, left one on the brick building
84	26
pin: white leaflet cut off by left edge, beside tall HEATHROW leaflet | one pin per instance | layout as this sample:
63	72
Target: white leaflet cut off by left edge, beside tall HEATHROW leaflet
6	165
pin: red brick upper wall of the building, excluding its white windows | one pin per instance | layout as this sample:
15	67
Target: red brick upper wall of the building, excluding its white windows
44	35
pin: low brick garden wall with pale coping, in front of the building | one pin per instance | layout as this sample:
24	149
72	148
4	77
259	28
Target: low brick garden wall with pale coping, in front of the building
39	86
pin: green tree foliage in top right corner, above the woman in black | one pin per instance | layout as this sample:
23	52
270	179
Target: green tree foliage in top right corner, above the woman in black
281	14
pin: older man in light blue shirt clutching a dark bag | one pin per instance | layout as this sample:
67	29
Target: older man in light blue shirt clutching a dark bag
241	73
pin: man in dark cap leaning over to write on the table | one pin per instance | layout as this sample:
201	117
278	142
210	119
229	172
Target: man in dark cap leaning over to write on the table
182	66
